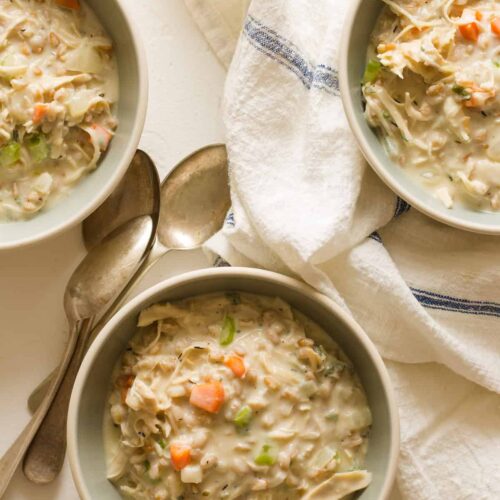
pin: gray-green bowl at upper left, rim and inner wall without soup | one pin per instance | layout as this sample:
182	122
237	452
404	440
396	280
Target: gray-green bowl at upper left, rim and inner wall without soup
87	195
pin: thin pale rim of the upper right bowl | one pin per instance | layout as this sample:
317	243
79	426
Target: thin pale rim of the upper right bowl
378	165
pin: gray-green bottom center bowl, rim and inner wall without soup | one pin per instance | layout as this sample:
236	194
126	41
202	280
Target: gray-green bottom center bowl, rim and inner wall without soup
89	401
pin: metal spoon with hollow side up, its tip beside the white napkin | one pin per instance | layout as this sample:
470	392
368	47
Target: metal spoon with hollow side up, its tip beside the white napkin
194	202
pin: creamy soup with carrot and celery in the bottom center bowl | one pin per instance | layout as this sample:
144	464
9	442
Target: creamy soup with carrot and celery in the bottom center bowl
228	396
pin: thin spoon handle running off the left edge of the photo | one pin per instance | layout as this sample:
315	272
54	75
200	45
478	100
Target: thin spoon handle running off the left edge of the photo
14	455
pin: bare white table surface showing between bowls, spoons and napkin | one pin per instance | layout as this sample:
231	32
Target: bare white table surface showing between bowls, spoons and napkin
186	84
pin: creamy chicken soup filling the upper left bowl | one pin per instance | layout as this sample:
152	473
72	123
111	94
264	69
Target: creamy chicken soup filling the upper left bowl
58	85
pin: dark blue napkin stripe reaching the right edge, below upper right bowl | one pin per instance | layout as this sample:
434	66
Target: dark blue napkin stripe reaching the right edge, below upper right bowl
434	300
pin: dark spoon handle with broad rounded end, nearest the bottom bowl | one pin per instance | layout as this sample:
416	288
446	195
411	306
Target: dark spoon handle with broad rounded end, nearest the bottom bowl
45	456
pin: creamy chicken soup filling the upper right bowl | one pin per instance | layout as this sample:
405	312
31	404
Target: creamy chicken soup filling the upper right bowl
431	88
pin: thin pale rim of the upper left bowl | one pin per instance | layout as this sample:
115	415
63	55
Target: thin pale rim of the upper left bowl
128	152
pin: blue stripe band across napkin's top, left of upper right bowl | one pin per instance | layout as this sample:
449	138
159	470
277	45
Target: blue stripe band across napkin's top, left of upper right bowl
286	53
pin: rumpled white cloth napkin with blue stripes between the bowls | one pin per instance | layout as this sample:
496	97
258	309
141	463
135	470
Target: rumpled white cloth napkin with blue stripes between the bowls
306	204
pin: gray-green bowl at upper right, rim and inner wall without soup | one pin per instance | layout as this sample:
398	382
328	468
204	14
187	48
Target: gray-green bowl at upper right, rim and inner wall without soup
359	24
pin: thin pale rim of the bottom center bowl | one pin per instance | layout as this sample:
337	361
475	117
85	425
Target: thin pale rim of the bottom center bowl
241	272
